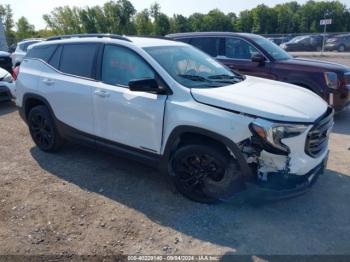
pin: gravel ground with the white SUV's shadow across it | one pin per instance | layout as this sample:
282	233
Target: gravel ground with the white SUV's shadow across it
80	201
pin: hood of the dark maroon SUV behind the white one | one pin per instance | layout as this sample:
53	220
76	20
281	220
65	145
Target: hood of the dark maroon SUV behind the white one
315	65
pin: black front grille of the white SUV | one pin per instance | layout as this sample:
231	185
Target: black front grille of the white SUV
317	139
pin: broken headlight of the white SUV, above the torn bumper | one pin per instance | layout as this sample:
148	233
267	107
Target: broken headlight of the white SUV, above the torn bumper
273	133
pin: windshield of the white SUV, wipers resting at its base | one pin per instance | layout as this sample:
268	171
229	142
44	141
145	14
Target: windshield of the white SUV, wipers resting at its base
192	68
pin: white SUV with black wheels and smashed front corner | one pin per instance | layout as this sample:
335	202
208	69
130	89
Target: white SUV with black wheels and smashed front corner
215	132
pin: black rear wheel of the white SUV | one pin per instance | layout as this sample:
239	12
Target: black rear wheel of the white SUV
43	130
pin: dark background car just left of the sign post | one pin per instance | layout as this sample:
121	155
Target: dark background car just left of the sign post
304	43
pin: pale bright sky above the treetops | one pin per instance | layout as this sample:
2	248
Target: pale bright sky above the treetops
33	10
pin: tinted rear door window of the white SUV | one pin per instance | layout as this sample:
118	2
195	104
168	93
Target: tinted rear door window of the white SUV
78	59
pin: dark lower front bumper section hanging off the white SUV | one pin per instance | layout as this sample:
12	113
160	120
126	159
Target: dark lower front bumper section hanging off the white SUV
281	186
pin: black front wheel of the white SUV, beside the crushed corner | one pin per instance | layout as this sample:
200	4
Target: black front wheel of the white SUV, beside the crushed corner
205	173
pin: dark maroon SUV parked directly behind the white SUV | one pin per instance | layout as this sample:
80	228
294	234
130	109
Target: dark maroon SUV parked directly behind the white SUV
257	56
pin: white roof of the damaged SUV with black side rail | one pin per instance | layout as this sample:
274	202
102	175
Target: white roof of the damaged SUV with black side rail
140	42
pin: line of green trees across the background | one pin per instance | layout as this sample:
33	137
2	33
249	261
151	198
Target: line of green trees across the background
121	17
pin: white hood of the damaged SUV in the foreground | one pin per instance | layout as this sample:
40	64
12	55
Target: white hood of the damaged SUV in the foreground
265	98
